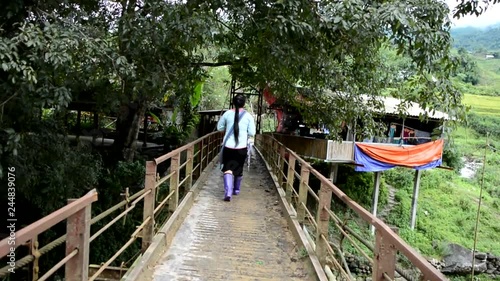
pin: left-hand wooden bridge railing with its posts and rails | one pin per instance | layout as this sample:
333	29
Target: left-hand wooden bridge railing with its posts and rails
196	156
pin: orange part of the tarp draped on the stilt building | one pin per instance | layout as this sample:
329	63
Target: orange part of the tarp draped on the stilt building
410	156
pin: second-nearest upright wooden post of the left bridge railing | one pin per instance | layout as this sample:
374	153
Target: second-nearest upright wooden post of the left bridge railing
149	205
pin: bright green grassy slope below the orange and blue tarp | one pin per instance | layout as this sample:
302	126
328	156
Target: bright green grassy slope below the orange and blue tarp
447	208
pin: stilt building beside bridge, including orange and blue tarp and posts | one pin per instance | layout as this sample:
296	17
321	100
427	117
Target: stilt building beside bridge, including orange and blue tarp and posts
408	142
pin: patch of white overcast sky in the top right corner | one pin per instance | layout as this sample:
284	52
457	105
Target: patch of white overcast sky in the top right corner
491	16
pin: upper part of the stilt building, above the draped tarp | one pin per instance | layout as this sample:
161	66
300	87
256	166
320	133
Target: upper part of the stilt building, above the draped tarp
312	143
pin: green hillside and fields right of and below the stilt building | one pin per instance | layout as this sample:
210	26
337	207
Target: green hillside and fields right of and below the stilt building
448	201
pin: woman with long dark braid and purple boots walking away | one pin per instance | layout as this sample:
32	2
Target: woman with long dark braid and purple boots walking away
239	127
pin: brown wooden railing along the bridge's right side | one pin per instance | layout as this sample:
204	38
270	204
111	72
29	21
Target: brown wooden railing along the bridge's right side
314	212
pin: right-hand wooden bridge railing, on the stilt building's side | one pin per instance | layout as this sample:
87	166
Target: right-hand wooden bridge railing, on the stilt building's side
387	242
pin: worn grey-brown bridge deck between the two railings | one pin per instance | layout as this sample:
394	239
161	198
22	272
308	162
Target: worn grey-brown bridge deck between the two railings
245	239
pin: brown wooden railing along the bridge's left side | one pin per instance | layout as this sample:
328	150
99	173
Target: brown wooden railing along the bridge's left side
199	154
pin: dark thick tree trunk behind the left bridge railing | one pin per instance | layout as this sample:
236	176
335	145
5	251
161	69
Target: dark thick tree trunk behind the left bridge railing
127	129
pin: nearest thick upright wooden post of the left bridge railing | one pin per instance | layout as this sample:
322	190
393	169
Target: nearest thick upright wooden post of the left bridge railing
78	237
